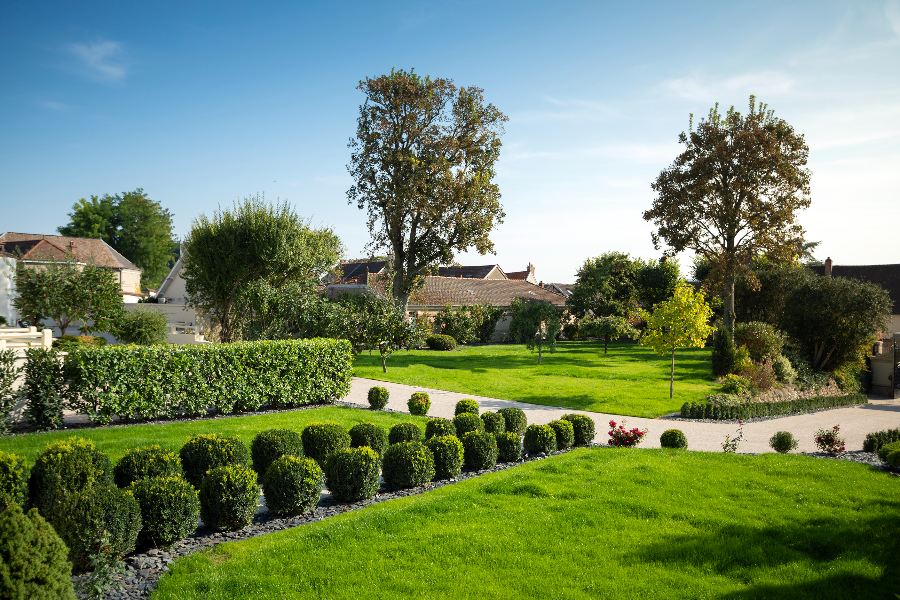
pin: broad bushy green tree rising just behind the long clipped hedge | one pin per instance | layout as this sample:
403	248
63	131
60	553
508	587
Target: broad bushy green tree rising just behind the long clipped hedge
255	241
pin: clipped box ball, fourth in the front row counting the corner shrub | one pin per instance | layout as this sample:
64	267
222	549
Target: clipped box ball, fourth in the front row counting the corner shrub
228	497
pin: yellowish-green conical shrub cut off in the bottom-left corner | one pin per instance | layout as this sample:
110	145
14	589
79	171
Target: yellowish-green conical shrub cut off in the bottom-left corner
33	563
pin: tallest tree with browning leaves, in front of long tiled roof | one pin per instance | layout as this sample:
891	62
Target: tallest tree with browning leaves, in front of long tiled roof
423	165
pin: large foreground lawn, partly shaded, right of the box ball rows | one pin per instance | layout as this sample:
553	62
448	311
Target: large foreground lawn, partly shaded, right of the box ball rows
594	523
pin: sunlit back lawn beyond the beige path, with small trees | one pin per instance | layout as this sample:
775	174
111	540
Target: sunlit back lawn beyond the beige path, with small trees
630	380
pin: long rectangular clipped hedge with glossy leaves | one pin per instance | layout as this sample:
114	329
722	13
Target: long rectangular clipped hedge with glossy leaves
149	382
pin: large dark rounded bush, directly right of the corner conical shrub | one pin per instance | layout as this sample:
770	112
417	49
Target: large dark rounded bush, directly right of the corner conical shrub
101	510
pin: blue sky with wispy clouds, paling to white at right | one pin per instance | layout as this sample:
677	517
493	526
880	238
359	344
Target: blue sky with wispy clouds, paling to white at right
201	104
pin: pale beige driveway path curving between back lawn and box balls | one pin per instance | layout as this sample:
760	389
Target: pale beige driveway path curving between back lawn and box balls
855	422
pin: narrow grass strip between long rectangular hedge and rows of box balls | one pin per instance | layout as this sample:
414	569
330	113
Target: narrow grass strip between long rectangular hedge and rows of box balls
115	440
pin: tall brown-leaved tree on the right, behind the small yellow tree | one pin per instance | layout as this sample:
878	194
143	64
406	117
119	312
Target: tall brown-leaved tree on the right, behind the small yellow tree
733	193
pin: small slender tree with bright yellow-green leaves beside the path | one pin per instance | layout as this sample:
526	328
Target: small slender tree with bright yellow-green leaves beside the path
682	322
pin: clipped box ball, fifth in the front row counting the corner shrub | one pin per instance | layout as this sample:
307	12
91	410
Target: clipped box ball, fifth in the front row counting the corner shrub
292	485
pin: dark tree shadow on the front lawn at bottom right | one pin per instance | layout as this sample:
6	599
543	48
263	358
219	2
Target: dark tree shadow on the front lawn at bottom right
735	551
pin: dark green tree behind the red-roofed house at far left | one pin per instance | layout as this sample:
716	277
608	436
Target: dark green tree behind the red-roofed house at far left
139	228
